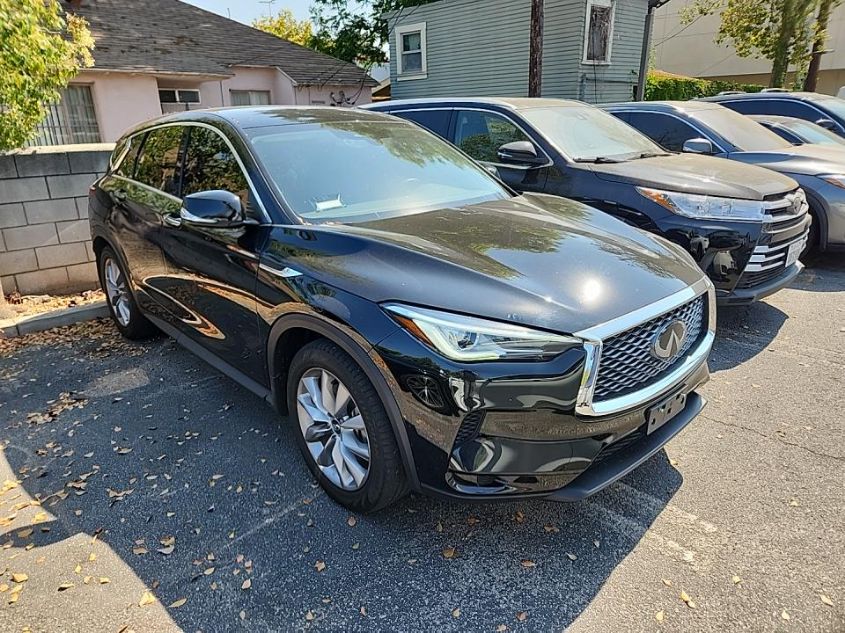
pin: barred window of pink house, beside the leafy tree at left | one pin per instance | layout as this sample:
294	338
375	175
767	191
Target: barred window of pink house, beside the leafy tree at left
73	120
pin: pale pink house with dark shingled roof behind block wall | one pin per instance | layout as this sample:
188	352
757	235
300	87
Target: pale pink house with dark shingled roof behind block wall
162	56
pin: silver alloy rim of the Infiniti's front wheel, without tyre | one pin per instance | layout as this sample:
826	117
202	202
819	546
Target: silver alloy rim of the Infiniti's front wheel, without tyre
333	428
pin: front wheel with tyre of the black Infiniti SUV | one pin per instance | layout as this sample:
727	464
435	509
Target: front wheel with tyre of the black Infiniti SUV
343	430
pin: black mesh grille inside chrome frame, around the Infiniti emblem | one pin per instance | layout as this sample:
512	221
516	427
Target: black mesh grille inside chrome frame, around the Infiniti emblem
627	364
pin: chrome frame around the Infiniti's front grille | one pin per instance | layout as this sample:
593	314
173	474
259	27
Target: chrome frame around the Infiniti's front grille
595	336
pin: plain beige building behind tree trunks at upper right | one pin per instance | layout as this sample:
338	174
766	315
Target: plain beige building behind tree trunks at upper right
690	50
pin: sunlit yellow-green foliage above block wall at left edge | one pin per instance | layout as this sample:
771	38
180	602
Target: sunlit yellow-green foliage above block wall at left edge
41	50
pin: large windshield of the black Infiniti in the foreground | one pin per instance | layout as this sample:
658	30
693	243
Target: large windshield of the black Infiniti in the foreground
358	171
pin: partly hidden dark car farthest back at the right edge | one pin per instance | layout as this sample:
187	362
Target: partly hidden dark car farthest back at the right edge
824	110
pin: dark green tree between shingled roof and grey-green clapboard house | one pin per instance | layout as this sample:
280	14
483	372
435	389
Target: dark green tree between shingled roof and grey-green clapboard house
356	31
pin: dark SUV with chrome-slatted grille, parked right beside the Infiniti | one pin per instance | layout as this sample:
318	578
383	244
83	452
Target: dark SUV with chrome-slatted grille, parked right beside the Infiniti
745	226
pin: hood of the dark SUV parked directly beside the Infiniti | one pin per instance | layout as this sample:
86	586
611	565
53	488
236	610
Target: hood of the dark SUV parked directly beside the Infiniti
691	173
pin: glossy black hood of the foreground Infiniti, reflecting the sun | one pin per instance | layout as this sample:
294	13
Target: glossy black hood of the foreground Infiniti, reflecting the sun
538	260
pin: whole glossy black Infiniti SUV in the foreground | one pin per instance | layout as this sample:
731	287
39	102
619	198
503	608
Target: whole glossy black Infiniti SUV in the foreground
424	327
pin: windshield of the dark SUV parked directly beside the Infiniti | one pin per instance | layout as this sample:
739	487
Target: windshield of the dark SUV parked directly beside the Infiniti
585	133
